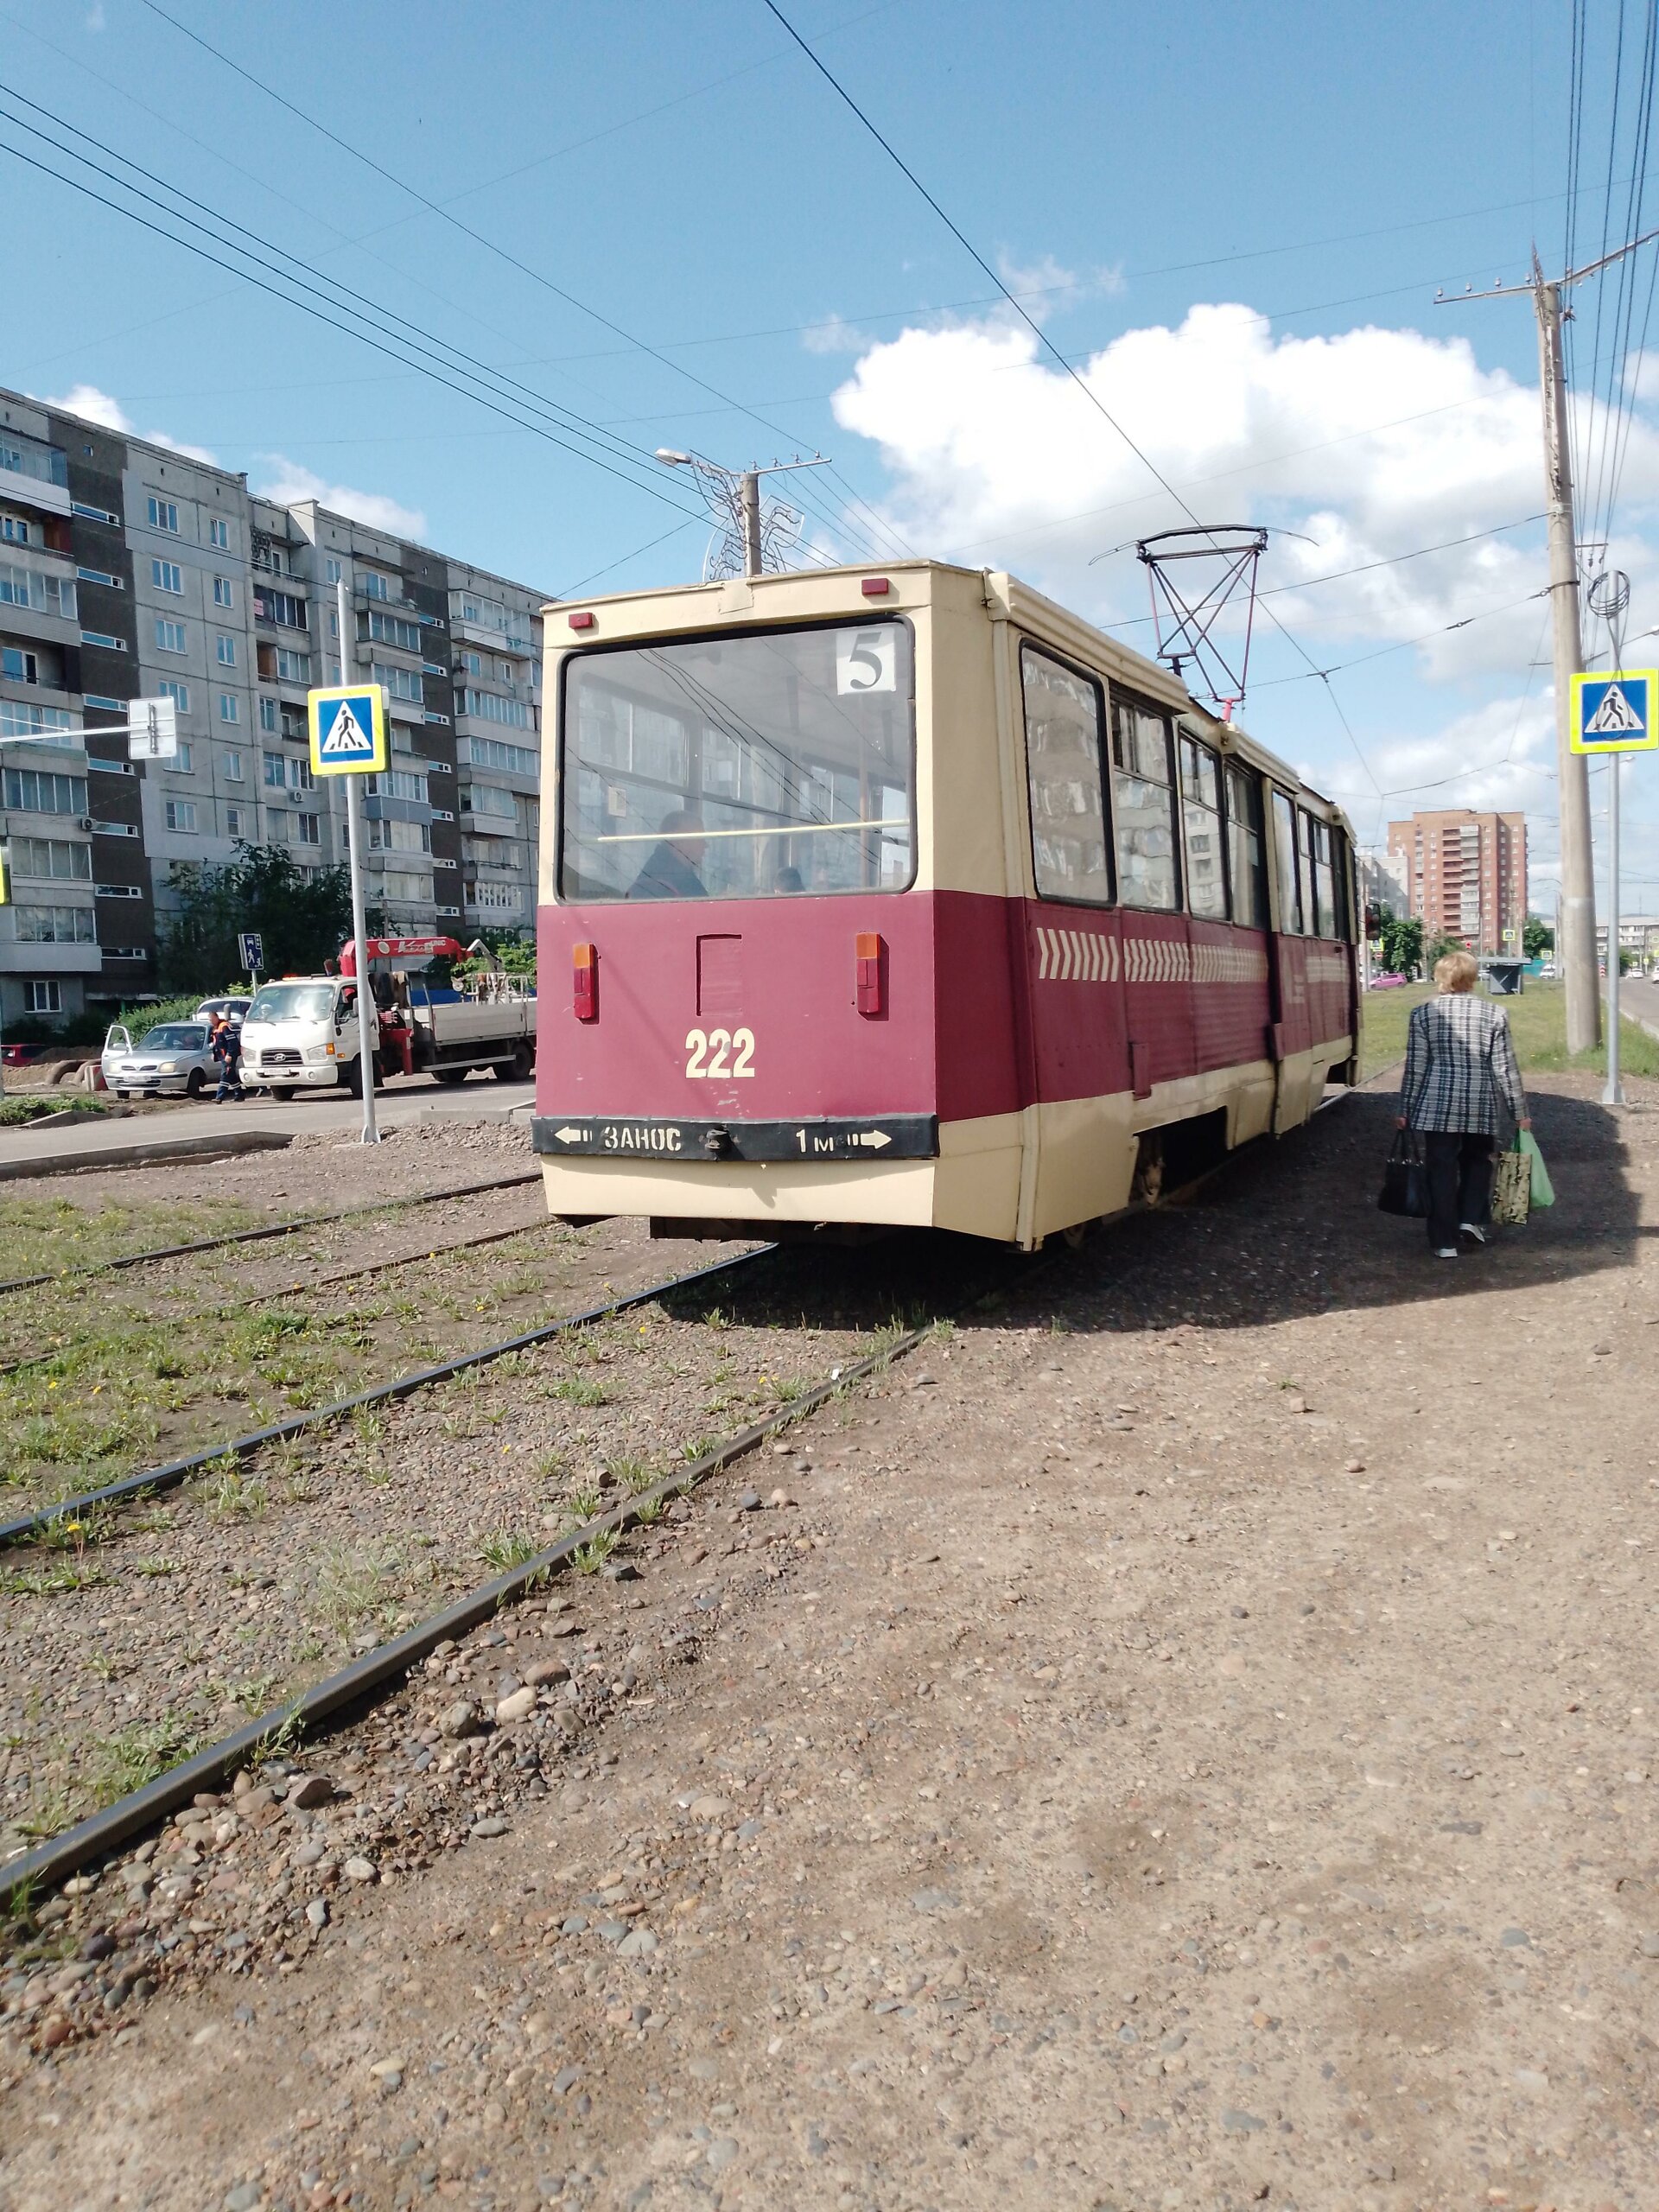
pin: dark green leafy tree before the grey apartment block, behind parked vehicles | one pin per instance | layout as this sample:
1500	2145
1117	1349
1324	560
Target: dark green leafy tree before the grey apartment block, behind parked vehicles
302	917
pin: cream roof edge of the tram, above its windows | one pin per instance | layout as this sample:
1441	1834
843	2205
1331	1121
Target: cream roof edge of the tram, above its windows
820	594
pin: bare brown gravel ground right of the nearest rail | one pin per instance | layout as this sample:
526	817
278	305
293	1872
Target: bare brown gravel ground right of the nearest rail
1189	1746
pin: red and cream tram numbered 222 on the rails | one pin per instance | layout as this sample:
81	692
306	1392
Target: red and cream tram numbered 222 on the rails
912	899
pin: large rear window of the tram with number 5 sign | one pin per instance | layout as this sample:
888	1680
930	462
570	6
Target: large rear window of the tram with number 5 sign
751	766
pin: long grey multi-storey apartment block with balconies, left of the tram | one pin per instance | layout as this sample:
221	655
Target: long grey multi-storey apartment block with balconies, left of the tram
127	572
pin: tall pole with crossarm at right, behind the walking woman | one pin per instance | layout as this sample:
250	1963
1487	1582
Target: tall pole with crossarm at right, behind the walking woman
1576	930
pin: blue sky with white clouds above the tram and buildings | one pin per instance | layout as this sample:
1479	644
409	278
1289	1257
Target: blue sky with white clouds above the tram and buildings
658	227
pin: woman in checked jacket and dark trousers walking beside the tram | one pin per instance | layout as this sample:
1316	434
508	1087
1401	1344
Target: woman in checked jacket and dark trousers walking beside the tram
1461	1083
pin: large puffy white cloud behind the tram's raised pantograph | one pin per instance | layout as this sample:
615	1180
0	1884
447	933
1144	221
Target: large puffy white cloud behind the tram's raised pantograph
1373	444
